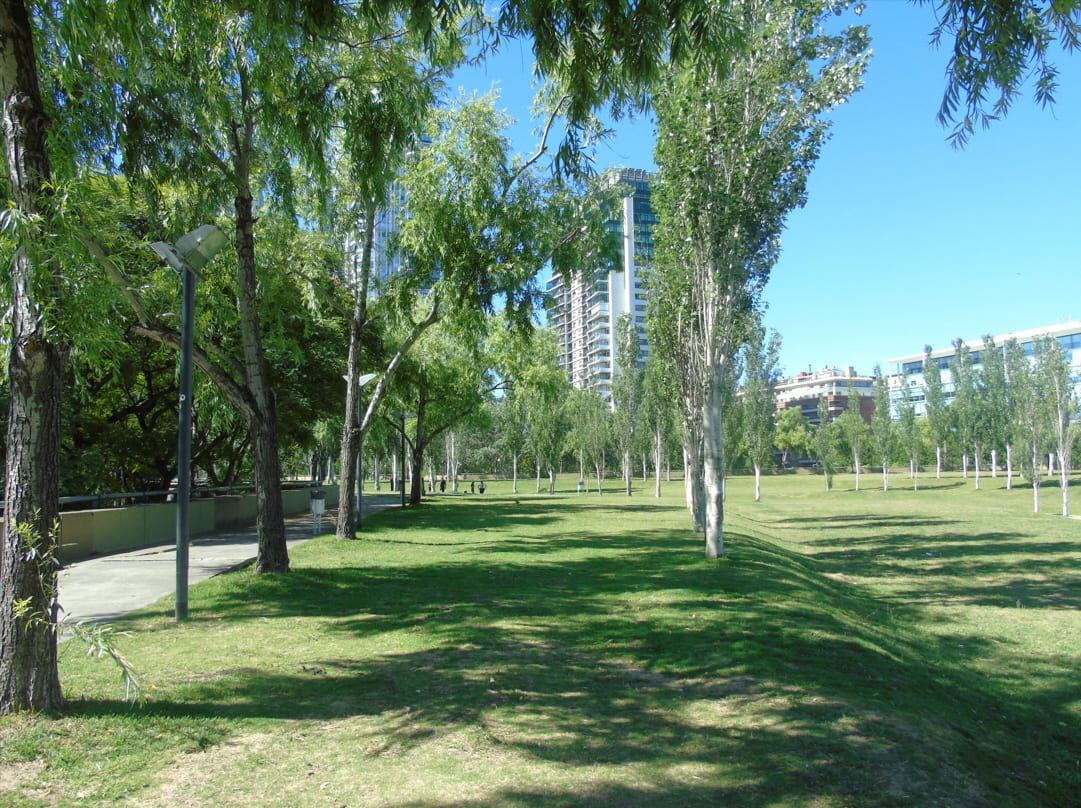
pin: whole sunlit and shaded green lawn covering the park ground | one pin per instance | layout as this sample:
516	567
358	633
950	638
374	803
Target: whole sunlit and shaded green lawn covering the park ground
853	650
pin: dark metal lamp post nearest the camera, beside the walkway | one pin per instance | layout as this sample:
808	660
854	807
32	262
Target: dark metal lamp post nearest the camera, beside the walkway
191	255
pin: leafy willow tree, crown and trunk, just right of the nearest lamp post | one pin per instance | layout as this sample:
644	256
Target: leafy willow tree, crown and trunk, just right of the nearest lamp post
231	100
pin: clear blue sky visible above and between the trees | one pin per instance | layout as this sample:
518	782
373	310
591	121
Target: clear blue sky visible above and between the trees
905	241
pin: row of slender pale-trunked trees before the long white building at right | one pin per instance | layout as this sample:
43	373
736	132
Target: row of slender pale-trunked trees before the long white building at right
1012	407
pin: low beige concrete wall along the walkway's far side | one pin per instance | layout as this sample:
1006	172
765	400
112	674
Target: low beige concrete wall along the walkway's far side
102	532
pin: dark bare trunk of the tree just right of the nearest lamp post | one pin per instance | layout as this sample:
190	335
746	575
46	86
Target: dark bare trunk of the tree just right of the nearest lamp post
263	427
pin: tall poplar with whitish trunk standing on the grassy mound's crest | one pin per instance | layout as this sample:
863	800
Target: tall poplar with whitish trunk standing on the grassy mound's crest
737	142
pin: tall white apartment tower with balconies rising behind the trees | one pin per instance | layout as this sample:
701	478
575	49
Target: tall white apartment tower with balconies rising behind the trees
585	308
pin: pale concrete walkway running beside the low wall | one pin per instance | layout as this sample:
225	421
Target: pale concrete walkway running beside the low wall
110	587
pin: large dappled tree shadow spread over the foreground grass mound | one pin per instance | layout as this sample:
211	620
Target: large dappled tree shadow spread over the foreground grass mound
772	682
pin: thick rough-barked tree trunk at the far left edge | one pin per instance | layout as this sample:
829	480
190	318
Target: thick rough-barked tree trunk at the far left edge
29	672
